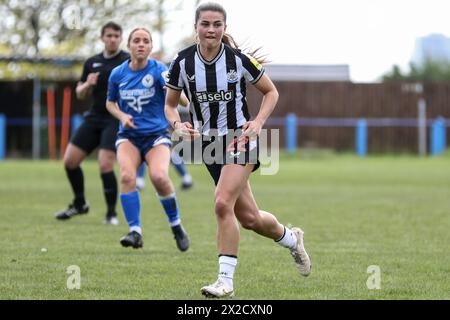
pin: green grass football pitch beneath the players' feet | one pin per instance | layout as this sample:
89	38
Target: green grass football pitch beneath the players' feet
392	212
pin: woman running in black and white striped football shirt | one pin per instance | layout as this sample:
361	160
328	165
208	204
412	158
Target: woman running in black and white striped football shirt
213	75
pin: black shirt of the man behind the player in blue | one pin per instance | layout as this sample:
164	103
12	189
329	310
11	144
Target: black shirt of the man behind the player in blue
104	66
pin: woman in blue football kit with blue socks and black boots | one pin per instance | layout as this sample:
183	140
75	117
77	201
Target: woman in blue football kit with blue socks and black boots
136	93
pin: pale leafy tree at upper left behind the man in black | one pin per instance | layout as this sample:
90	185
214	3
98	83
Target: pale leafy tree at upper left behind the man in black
37	27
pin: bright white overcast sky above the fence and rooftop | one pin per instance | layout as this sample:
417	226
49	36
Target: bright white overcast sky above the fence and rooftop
368	35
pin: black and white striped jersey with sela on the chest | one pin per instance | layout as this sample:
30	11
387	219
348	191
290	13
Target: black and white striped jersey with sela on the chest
216	89
